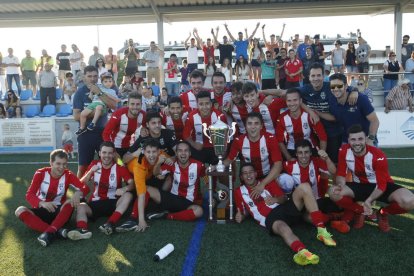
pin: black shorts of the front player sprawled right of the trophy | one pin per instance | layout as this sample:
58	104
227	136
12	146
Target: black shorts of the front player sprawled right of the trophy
287	212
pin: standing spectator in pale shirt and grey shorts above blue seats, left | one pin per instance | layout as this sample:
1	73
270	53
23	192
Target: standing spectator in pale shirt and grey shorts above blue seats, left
47	81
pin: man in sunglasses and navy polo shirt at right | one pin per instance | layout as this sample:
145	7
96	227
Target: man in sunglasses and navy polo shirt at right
347	115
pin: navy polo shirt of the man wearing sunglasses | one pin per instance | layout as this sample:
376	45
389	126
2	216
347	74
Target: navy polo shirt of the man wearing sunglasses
348	115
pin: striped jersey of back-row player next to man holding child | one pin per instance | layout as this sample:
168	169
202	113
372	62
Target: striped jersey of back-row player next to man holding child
120	127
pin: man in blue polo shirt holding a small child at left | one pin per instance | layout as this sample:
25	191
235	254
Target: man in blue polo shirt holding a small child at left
89	142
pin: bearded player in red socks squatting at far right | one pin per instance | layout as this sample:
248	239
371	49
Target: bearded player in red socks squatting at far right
370	181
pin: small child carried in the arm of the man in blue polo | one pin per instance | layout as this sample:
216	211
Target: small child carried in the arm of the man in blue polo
97	107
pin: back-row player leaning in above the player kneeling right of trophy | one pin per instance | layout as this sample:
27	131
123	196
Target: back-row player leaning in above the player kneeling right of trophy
270	112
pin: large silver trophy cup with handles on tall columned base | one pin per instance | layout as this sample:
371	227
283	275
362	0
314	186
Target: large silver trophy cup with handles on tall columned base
220	136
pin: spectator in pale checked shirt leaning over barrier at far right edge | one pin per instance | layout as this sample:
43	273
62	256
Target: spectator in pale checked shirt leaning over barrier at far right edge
399	97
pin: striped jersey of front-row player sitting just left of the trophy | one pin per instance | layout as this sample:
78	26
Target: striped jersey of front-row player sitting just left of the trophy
186	181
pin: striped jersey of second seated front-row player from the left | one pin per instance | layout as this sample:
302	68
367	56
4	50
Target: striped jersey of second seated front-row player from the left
107	181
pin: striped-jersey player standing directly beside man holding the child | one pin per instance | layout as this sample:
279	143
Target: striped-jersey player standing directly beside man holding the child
124	122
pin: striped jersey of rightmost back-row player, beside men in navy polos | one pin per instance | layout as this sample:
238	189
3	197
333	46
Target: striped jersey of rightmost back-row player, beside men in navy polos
297	129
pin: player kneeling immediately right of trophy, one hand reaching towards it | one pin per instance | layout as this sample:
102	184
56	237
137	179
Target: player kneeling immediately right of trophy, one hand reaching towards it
260	149
